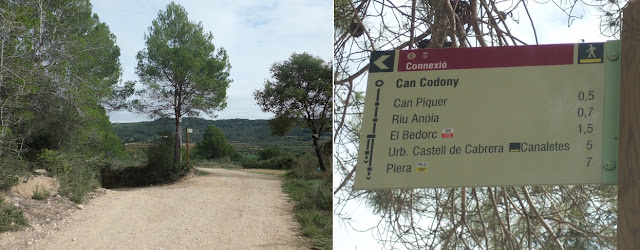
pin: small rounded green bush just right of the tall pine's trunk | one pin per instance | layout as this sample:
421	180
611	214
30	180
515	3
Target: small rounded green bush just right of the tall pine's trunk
213	144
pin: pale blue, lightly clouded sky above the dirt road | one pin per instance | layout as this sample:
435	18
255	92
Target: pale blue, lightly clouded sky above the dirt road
255	33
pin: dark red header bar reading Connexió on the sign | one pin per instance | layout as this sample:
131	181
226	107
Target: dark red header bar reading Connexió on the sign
485	57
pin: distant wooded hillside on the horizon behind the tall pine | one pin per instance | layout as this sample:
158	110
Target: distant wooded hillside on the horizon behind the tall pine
237	131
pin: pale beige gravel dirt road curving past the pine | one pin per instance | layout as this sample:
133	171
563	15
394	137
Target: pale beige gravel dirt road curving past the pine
227	209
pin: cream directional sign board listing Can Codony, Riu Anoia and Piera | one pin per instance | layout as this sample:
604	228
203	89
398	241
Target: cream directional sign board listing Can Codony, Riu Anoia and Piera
498	116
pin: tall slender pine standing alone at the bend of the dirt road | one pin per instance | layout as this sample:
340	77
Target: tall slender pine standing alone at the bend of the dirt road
182	71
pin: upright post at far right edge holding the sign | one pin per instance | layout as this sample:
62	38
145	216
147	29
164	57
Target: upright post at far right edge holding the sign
629	145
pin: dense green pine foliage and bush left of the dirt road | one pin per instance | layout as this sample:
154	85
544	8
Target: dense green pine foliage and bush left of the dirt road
59	66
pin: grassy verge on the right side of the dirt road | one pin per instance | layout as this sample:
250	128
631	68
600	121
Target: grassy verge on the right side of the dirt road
311	191
